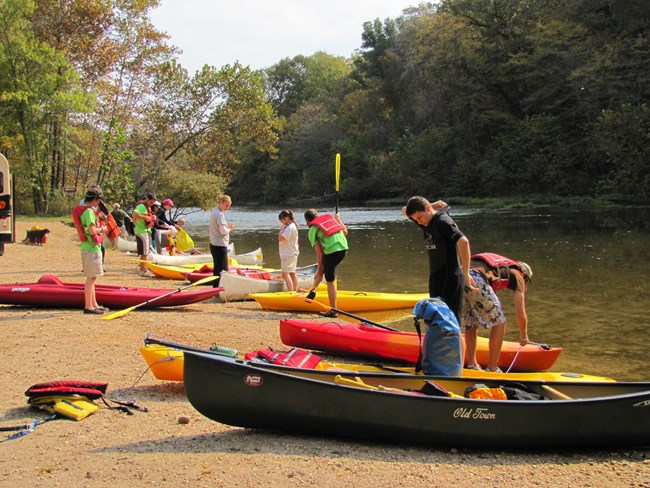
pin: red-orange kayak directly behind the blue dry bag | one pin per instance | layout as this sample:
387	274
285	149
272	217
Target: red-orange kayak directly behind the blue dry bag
360	340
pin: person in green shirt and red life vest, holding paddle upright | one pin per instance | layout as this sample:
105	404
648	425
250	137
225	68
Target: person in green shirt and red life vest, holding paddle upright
327	235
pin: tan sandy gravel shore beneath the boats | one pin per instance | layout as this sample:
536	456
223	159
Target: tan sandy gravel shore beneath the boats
111	448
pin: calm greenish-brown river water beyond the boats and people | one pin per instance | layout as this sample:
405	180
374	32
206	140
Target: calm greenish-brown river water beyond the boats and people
589	293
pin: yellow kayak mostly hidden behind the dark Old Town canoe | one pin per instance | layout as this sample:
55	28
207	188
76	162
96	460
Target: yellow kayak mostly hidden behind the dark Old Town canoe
166	363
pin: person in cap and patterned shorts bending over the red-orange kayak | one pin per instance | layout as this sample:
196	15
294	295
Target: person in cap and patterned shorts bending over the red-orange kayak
482	307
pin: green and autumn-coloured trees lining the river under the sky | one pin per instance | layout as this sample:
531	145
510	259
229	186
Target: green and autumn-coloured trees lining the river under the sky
474	98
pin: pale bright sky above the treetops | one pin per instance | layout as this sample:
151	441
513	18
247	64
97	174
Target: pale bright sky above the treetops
260	33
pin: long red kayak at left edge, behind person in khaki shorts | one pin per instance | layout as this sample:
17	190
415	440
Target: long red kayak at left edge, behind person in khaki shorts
49	291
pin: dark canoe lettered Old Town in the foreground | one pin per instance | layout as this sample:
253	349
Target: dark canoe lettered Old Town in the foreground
265	399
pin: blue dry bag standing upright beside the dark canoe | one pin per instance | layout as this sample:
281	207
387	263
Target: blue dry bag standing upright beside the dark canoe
441	350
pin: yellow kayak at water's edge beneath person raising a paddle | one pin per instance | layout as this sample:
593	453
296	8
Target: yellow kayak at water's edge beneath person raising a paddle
350	301
